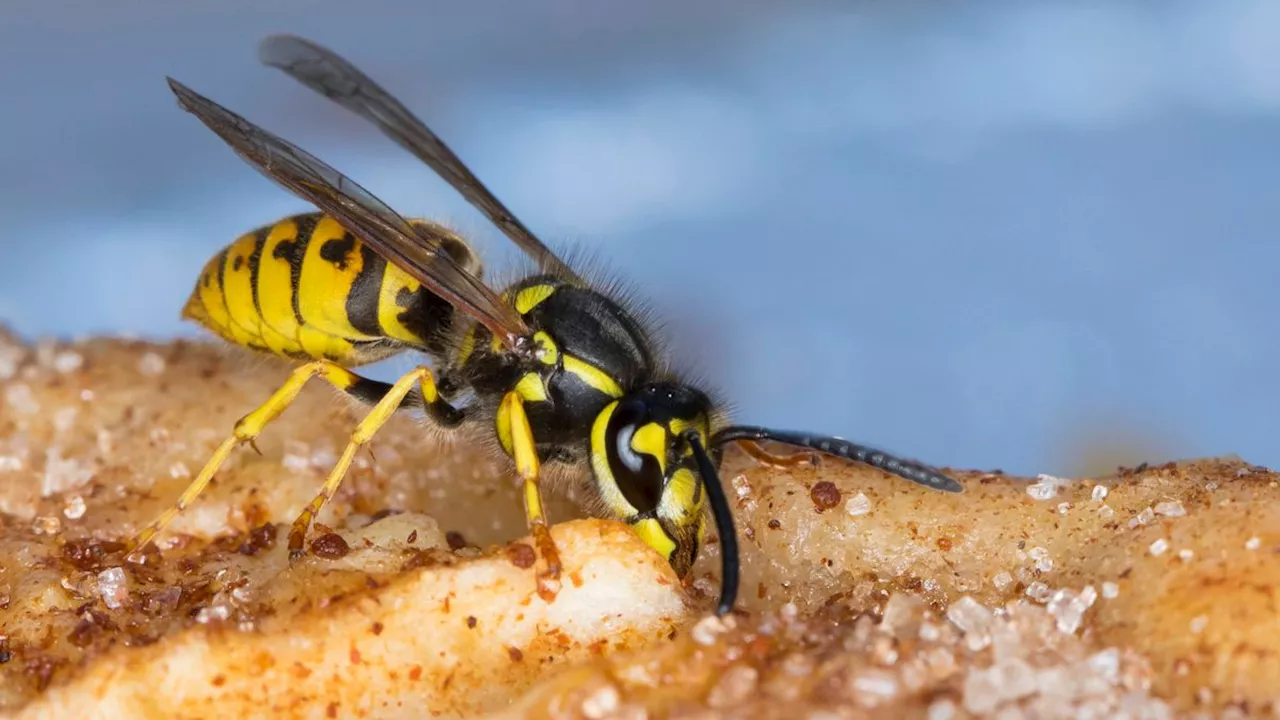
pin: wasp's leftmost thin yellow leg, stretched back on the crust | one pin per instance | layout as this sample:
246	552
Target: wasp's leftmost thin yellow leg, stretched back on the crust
246	430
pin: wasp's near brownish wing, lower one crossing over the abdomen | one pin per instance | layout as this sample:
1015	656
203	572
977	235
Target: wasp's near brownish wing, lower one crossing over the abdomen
412	248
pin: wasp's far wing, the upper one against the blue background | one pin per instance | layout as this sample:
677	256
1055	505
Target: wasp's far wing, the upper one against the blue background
332	76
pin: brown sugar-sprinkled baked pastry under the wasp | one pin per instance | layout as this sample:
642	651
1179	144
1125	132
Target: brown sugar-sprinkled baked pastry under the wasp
1153	593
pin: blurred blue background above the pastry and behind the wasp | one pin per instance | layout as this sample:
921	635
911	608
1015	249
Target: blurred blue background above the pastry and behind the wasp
985	234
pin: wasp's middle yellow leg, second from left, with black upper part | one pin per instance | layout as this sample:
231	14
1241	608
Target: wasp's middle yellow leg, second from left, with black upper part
392	399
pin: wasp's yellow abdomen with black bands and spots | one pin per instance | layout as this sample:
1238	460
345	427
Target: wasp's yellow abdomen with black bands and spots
307	289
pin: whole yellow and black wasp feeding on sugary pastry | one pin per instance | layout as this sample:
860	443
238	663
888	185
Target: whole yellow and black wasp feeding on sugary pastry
555	373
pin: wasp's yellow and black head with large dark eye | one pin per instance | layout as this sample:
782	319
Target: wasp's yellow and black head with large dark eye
644	468
